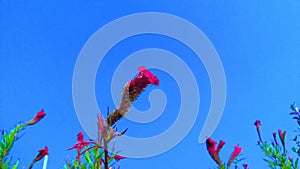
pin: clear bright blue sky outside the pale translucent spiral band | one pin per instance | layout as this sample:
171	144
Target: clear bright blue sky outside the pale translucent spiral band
257	42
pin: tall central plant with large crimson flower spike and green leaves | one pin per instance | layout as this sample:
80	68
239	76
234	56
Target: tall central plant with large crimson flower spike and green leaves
95	153
